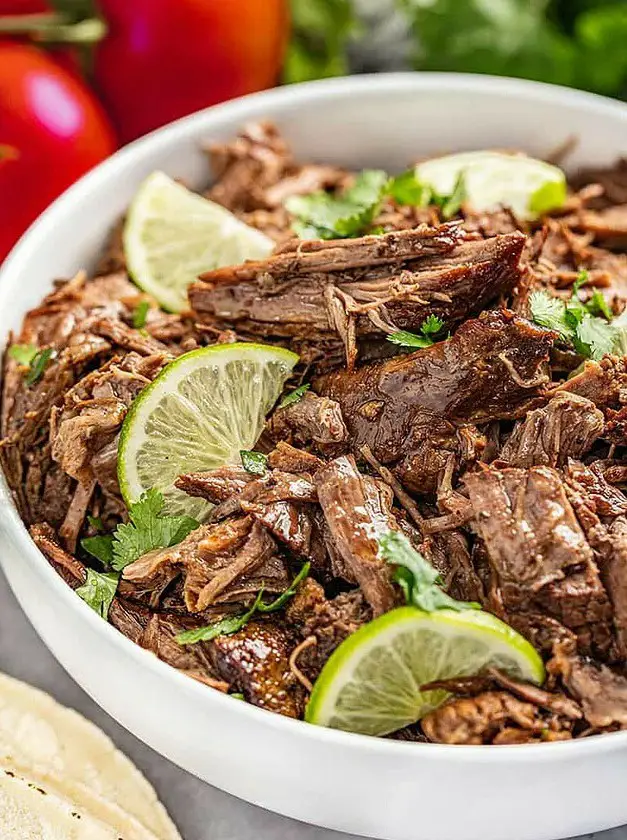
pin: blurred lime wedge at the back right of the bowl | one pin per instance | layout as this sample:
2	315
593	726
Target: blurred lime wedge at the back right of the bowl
528	186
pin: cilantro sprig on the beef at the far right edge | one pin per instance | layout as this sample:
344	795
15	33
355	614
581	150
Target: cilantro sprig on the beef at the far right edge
589	327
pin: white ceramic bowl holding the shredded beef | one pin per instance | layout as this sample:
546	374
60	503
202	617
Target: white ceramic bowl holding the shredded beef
368	786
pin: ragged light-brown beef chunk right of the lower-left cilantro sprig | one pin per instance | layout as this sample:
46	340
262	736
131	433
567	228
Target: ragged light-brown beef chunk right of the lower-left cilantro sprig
223	563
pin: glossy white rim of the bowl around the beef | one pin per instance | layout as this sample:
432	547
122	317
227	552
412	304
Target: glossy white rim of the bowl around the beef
165	137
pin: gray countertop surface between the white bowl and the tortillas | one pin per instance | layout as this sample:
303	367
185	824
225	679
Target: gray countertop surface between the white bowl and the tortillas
200	811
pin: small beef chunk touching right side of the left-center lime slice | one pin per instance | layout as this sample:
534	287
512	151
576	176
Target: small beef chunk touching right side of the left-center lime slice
312	421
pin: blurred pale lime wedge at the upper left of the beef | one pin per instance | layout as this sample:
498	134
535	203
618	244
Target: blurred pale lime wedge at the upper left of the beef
171	235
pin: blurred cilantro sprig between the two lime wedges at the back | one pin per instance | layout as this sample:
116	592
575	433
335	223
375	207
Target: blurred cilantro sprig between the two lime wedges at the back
323	215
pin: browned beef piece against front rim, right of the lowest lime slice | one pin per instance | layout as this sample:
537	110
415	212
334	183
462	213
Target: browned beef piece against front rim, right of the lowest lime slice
492	717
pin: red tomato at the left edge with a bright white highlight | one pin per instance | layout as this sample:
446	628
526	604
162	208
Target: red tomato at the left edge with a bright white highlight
52	129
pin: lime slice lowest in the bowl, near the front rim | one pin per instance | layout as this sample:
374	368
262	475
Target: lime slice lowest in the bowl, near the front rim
371	683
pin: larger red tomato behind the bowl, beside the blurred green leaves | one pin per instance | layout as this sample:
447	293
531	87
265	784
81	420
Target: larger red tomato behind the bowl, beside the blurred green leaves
163	59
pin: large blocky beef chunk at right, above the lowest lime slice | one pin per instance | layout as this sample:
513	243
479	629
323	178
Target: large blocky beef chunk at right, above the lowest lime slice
539	555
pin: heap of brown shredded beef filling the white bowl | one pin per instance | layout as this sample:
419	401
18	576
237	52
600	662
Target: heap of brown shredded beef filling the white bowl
488	441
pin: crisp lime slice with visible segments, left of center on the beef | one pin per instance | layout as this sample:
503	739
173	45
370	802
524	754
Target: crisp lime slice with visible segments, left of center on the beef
198	414
